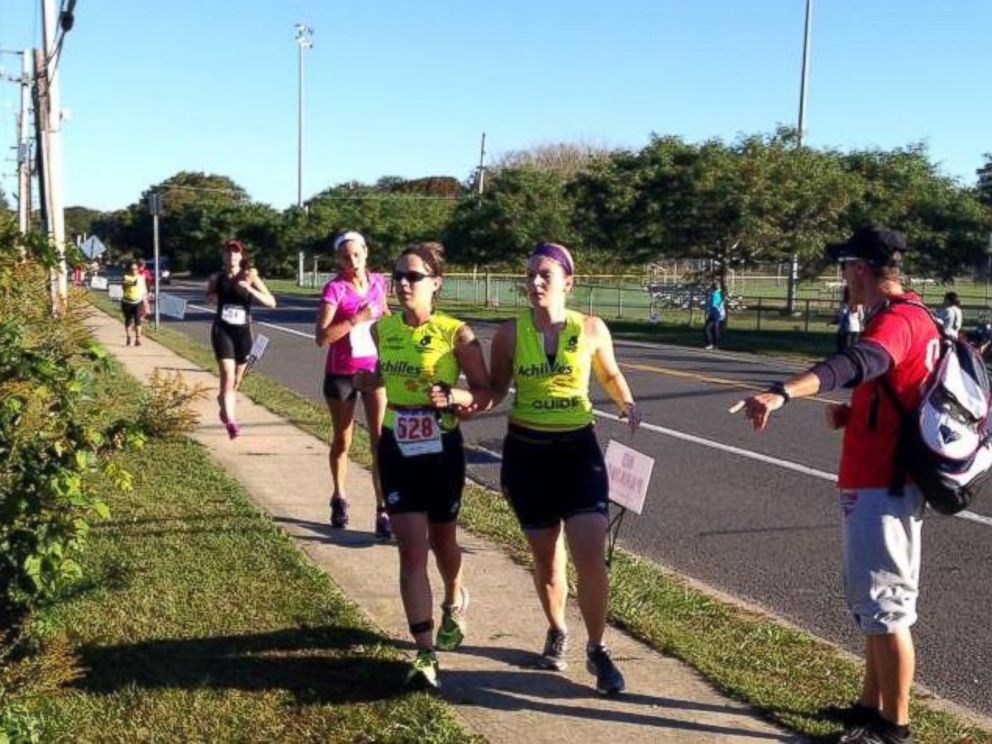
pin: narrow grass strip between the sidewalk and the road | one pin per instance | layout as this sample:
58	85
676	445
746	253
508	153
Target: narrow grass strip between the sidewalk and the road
786	673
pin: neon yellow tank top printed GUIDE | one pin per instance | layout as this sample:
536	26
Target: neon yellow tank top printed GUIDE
551	396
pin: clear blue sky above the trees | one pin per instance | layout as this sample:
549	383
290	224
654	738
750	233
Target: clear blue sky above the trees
407	87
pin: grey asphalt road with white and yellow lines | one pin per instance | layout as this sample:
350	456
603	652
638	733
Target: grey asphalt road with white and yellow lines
753	515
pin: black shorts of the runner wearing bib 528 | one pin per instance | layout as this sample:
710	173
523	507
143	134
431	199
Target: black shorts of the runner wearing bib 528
427	483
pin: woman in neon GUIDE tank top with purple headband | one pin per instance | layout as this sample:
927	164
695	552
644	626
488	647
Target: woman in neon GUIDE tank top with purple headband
553	472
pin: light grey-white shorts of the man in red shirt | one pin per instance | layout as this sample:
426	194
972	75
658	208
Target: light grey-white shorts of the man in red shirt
882	557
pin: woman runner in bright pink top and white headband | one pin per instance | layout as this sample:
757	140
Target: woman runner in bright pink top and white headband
350	303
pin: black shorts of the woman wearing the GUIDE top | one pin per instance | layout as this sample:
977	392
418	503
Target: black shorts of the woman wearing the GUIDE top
549	477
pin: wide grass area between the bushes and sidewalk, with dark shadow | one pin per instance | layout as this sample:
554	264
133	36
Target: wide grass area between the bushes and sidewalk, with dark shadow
200	620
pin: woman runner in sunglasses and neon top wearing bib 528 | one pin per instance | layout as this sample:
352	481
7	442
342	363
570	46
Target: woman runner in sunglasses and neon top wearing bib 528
421	354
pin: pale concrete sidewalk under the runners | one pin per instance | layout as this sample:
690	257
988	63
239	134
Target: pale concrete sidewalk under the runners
492	682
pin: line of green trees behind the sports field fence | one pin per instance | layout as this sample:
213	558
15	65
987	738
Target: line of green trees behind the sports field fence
760	198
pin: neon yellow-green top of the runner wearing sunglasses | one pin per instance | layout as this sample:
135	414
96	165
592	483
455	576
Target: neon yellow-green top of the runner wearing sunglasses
413	359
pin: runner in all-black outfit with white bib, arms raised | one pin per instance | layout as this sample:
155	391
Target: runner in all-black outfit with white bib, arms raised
233	290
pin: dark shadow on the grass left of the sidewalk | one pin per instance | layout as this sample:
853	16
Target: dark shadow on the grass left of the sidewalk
314	664
